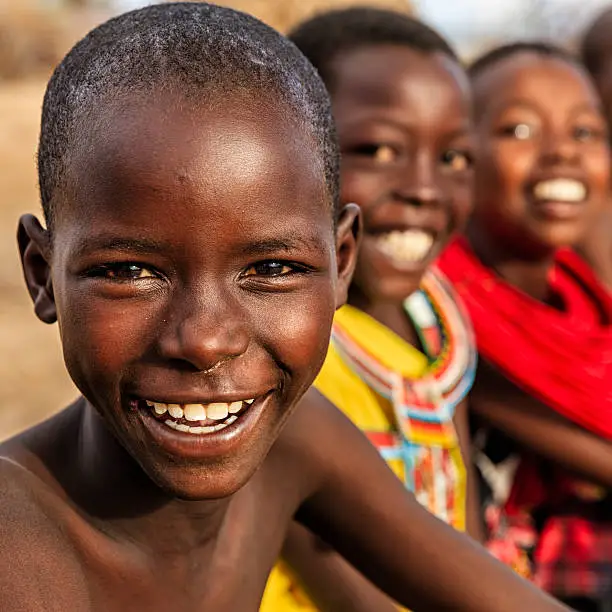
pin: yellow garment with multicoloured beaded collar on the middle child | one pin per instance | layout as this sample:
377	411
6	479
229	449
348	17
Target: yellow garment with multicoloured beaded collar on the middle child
403	399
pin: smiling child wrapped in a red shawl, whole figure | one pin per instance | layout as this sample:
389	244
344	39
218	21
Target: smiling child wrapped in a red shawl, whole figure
543	321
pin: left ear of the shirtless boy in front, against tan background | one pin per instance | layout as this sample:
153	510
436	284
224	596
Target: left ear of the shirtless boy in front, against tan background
35	250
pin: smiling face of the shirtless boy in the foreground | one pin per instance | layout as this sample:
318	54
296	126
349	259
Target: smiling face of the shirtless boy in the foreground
194	266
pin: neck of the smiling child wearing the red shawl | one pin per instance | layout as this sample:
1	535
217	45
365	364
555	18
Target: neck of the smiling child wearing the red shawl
529	274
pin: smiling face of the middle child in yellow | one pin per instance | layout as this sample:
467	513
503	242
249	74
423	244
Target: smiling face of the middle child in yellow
403	120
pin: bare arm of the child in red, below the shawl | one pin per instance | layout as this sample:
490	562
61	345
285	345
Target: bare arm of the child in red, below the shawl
501	404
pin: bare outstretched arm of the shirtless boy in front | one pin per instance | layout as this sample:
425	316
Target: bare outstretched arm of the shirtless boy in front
360	507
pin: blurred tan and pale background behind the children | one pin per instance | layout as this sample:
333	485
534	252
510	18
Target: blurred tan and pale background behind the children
35	34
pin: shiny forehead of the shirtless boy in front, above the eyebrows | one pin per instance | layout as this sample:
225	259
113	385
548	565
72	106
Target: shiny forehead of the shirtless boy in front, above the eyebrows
181	154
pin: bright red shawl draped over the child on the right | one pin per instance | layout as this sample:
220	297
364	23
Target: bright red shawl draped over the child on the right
563	358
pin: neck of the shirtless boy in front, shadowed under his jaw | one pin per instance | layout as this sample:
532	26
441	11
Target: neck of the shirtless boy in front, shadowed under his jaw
122	501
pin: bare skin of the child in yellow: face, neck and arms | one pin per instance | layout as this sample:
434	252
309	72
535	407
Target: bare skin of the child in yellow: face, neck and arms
404	125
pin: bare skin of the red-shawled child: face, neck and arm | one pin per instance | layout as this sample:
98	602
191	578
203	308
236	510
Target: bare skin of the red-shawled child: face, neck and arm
538	119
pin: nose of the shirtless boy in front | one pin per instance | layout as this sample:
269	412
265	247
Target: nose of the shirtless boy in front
205	335
